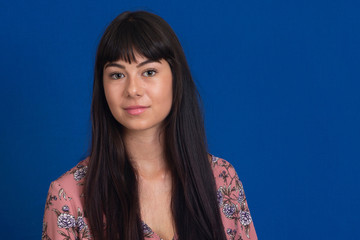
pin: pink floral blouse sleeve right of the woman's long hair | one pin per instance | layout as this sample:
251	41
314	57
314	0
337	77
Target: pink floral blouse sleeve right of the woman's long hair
234	208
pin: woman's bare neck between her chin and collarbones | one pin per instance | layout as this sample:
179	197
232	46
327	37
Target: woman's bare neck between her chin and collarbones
146	152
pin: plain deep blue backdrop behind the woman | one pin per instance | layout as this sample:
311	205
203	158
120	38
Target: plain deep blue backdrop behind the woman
279	81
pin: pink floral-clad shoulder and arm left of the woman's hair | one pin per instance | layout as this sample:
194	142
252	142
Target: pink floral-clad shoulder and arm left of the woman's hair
64	215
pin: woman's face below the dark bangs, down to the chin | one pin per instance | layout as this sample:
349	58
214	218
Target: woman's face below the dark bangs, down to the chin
139	94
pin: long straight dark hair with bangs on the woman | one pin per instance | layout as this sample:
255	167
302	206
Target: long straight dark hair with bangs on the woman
111	188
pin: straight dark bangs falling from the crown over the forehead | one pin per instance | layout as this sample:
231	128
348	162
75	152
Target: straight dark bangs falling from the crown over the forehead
134	37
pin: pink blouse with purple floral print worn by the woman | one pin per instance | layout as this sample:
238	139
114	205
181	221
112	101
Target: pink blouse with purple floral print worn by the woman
64	218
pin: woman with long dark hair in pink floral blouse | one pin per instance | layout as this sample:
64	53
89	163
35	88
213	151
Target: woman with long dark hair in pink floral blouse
148	174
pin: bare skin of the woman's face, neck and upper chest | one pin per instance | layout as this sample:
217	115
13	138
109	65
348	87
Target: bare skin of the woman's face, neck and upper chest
148	84
